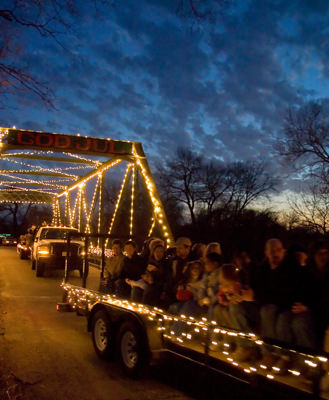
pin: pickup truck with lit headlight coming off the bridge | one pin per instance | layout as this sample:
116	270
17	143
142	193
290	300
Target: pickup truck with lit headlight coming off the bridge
49	250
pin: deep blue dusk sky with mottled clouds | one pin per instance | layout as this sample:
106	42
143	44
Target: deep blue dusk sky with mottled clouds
142	71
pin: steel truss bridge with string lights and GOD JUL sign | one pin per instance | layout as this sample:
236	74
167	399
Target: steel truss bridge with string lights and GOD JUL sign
70	173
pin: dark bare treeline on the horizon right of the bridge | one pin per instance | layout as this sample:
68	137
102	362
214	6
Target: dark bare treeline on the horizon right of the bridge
218	201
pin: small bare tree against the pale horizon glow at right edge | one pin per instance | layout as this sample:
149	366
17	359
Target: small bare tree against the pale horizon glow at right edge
312	209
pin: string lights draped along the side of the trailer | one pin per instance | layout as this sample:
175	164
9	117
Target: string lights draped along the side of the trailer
192	331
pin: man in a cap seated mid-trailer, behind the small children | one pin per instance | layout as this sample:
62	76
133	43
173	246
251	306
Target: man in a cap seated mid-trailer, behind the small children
176	270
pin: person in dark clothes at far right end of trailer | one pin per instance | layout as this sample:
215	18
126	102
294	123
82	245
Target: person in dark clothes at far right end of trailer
318	288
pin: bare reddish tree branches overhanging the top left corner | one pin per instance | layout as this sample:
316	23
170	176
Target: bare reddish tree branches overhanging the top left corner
50	19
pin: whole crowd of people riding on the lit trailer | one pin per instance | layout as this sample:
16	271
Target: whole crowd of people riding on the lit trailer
284	299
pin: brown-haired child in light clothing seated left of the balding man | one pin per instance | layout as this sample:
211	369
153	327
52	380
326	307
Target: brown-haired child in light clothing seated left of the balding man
236	308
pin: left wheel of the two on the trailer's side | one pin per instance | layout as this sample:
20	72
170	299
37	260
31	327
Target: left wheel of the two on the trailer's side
102	334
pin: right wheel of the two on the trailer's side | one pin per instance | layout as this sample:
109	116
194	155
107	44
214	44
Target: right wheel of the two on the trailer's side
132	349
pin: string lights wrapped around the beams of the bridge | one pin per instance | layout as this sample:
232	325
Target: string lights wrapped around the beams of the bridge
12	183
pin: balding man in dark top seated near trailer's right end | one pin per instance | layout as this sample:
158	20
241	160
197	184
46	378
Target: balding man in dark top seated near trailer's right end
279	291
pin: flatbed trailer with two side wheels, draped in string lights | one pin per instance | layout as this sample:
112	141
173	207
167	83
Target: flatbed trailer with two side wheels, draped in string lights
140	335
